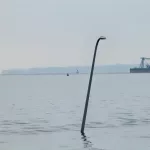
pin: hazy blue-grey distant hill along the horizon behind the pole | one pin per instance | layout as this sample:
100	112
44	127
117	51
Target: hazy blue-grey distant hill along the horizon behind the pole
118	68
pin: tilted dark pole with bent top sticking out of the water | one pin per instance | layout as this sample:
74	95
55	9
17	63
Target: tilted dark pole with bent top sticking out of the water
89	86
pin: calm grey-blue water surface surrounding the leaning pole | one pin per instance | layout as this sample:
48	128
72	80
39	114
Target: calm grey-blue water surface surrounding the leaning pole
45	112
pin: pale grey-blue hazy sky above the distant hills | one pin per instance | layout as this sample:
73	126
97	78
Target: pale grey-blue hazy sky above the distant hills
42	33
